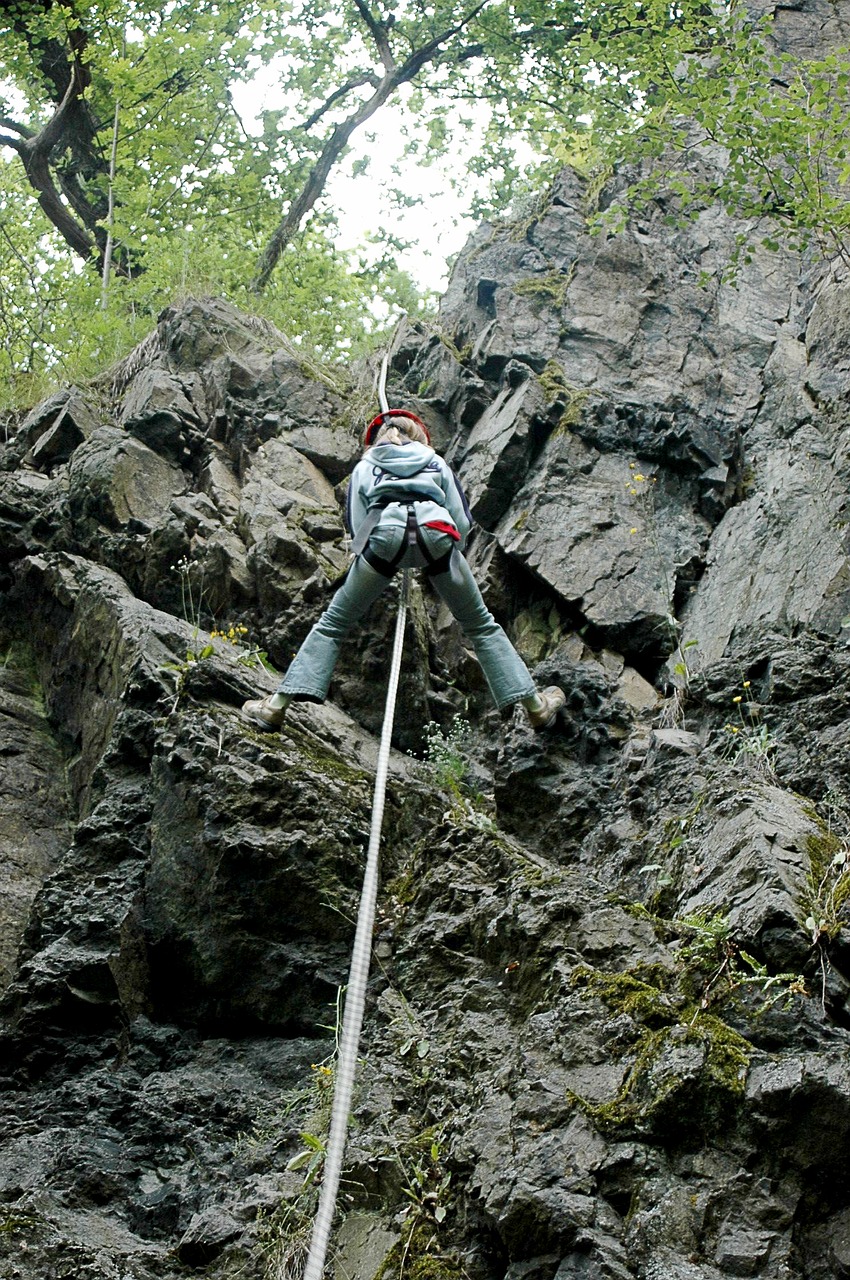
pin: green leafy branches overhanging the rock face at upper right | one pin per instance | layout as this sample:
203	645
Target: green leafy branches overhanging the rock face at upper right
780	121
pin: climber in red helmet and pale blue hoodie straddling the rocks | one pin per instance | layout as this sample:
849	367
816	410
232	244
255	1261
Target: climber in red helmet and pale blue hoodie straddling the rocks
406	510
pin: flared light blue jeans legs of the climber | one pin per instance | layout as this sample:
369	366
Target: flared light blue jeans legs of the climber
312	669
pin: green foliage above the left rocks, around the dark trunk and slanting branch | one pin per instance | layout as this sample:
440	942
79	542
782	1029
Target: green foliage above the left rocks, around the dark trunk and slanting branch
195	195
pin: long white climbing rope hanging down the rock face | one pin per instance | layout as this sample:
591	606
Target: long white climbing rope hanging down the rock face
360	959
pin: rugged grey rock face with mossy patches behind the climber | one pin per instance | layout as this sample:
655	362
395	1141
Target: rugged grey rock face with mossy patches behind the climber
609	1031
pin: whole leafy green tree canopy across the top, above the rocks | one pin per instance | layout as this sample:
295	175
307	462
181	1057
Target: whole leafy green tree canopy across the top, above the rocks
129	175
